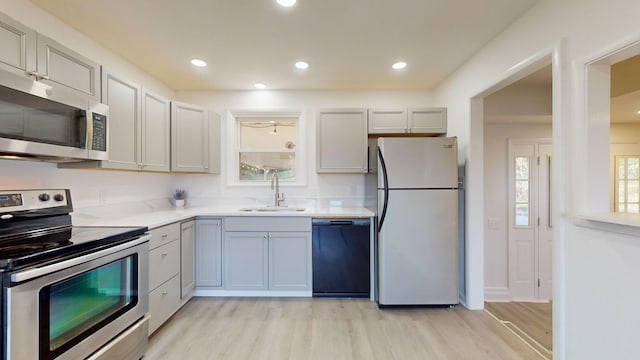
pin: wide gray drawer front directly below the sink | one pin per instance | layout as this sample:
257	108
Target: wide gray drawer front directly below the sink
267	223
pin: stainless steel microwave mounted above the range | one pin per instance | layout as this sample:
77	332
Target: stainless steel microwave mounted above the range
41	122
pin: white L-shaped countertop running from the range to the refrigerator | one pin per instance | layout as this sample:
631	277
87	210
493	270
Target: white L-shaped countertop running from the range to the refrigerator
142	214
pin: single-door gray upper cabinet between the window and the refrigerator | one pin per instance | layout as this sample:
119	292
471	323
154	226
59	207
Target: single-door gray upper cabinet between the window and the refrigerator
341	140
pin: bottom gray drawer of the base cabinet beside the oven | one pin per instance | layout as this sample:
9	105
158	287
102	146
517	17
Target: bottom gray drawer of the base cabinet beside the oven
163	302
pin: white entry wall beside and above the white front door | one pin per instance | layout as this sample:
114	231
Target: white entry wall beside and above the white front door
496	200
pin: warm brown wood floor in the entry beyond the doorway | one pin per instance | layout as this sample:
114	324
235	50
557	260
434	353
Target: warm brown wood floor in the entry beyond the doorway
533	319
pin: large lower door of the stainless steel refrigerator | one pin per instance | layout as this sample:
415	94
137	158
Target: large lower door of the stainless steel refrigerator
418	248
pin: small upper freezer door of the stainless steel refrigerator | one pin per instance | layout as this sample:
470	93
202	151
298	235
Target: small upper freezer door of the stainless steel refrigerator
424	163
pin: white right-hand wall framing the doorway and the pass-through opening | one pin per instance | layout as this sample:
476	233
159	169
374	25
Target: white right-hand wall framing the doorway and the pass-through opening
596	316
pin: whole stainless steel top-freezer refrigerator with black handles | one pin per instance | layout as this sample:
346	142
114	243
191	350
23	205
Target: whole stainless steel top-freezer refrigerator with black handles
417	208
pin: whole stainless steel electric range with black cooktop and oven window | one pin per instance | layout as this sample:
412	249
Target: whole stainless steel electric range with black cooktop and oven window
69	292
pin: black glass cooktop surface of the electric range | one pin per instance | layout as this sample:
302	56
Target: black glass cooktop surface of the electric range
35	248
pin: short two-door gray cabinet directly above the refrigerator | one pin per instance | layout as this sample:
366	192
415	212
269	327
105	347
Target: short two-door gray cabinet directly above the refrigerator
408	121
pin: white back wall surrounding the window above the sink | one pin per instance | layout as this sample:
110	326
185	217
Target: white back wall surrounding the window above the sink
318	189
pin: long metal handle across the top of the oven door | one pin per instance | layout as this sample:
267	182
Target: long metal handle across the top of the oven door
40	271
